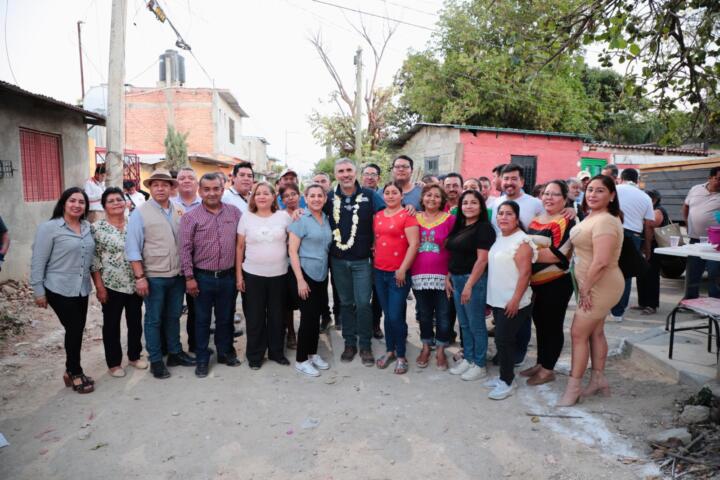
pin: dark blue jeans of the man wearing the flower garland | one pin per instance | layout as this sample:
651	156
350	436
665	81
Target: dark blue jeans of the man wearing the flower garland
353	282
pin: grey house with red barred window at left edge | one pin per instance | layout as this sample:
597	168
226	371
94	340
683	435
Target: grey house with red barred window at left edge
43	151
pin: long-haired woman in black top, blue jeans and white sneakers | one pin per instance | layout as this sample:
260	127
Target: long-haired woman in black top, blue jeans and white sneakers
469	243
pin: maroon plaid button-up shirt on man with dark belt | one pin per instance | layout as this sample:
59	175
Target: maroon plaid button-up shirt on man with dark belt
207	241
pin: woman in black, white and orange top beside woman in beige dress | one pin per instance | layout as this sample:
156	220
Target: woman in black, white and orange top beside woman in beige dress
550	281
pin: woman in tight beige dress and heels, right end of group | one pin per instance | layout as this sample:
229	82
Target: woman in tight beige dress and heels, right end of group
597	241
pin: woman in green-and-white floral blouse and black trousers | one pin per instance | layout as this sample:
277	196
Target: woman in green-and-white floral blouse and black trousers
115	285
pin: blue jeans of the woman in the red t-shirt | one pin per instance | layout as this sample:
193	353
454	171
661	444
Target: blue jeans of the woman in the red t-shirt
393	300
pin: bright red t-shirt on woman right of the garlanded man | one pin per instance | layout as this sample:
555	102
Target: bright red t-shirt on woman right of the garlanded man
390	241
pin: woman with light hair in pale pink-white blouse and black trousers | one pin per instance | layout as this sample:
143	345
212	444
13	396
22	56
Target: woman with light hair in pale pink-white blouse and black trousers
262	265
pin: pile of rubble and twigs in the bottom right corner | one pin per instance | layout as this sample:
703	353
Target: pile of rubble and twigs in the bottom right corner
692	450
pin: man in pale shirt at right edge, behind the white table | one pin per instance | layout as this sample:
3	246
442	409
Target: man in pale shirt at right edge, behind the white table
701	210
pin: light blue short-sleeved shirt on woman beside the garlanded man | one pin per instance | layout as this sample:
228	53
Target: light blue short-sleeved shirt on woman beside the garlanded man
315	241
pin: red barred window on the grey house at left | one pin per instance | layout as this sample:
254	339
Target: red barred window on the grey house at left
41	165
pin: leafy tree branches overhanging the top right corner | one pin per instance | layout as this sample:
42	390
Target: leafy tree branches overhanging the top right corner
670	48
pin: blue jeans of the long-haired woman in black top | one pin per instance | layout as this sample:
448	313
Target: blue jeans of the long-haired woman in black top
472	318
